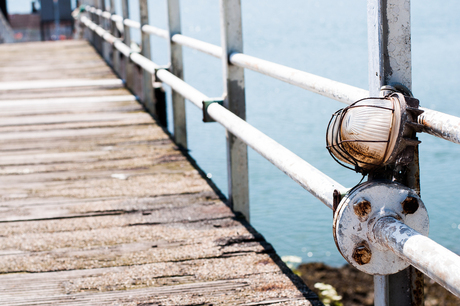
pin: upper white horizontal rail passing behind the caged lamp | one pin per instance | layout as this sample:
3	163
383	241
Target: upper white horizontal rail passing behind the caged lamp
435	123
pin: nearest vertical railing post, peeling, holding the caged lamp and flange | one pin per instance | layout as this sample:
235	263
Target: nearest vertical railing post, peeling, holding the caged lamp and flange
389	39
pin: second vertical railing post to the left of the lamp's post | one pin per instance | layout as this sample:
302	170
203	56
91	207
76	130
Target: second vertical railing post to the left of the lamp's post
180	123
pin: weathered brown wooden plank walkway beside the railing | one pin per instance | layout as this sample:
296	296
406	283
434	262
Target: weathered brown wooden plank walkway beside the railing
98	207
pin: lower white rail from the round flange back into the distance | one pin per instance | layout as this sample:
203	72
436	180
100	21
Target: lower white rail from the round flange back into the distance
307	176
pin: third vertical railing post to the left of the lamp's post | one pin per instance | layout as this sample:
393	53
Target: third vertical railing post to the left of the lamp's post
147	86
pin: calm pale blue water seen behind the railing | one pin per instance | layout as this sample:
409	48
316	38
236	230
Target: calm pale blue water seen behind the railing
328	38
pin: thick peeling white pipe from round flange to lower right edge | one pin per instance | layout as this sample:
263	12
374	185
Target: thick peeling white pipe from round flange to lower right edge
434	260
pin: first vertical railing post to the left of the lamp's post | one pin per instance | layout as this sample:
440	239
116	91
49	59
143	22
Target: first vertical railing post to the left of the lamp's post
237	156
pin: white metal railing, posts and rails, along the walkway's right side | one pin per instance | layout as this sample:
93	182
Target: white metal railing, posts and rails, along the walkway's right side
390	233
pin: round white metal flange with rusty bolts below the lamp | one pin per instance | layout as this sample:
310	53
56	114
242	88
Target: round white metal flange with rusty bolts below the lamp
357	214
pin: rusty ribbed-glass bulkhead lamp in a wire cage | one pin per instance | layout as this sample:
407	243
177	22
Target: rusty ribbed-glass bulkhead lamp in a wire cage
374	132
